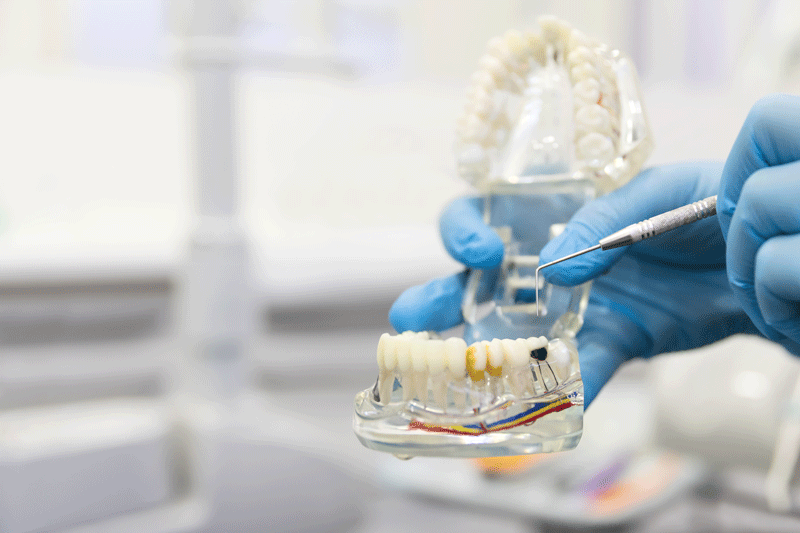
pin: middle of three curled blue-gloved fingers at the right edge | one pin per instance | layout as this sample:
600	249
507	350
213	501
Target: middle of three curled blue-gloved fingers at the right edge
768	206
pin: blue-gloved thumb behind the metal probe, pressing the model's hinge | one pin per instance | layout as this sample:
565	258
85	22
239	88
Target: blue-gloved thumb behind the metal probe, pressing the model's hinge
652	192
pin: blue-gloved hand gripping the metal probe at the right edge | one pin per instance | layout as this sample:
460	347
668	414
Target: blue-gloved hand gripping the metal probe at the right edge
759	212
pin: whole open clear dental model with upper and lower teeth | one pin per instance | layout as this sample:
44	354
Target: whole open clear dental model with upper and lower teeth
551	121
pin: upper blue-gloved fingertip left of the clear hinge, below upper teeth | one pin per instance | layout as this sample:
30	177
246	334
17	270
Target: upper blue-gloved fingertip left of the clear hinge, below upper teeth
466	236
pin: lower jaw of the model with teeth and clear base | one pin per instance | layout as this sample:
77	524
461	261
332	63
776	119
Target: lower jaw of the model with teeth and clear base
444	398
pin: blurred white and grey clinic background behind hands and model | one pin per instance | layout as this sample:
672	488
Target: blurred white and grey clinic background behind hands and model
206	211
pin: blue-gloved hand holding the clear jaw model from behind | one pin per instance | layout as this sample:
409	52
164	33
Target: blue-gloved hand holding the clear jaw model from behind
664	294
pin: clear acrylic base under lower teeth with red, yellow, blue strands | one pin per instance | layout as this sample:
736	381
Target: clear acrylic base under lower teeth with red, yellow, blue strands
484	425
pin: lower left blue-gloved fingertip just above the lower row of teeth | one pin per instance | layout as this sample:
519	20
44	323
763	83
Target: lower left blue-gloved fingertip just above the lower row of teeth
436	305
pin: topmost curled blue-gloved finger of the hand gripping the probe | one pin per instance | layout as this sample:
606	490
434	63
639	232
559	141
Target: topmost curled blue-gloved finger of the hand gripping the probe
767	138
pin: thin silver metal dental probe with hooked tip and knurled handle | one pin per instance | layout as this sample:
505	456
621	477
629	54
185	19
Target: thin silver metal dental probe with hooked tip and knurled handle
644	230
